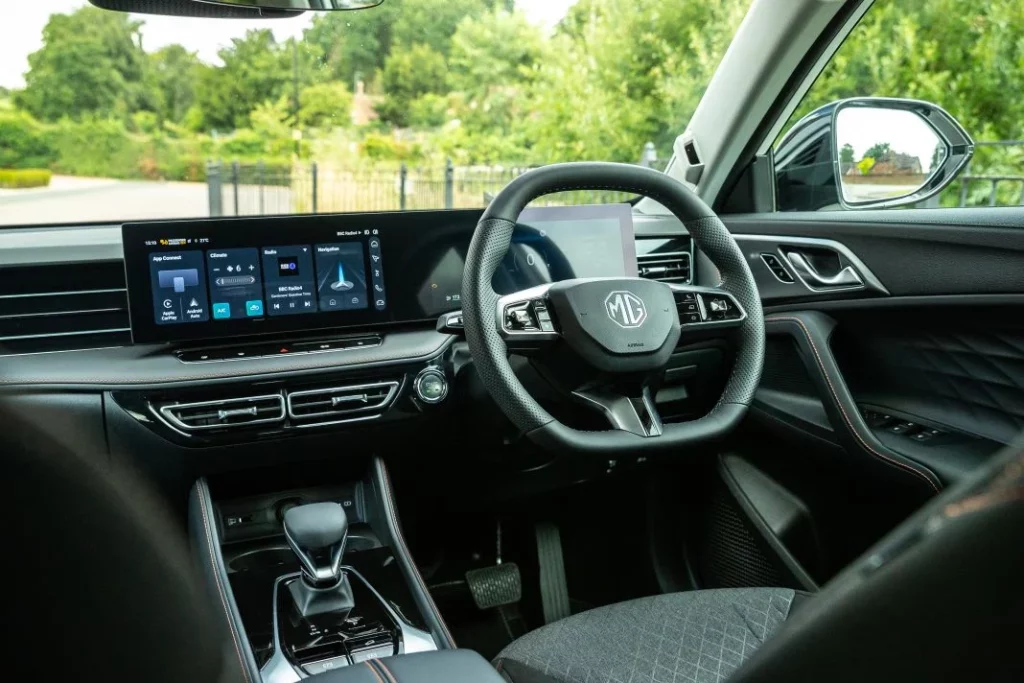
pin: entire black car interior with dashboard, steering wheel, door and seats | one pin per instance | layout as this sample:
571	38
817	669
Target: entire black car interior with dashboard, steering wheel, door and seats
750	425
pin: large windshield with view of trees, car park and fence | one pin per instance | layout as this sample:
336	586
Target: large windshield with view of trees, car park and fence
413	105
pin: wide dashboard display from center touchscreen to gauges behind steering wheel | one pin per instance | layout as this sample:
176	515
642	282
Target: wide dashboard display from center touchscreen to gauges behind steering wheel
226	278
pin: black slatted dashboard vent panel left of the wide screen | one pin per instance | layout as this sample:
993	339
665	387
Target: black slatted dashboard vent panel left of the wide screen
63	308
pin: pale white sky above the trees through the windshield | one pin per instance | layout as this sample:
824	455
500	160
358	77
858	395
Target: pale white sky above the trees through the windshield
22	31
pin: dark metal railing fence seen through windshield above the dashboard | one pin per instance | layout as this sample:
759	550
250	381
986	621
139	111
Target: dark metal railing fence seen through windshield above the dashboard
248	190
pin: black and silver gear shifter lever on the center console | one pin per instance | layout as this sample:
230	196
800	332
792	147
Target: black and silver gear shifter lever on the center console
317	533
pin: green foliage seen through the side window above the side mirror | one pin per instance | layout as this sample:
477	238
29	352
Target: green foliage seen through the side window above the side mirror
966	57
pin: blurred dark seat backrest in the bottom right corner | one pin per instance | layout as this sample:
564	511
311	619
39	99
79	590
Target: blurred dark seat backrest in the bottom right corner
940	600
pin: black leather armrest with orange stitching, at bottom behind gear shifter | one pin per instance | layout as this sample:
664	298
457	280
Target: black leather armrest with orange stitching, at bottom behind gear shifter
444	667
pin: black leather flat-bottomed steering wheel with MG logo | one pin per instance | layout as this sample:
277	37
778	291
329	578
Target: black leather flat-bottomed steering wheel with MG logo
625	329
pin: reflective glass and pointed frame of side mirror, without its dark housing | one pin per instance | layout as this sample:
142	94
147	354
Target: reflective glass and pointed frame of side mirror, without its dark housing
894	152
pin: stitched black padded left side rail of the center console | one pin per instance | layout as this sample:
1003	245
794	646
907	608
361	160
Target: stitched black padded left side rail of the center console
203	528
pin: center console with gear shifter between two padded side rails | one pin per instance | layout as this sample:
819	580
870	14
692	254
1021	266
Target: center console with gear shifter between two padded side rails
314	580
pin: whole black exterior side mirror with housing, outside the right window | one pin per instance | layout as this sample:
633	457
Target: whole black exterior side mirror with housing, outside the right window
919	152
